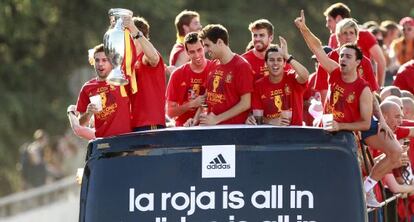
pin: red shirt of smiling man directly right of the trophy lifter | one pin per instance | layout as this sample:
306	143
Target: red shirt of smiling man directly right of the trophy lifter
184	85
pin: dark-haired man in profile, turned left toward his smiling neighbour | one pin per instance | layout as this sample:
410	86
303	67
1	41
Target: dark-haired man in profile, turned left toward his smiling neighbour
230	84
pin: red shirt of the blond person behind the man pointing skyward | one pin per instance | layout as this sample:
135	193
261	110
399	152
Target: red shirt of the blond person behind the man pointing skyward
364	71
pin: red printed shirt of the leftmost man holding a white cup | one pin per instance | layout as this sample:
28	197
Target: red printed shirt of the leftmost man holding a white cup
114	118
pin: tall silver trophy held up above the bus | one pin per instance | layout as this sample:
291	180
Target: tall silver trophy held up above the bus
114	44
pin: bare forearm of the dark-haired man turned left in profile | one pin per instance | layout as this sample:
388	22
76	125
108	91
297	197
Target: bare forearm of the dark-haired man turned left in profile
241	106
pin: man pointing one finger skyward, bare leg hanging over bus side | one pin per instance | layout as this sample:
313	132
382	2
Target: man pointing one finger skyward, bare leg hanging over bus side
350	102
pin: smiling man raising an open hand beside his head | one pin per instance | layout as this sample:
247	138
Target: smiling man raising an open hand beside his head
281	90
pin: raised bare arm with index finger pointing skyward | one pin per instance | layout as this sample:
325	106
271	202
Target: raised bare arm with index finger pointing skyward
315	45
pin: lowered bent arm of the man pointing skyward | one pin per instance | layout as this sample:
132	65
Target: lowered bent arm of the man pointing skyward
365	108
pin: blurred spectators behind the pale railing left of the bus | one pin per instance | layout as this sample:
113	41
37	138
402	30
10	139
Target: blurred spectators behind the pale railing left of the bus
46	159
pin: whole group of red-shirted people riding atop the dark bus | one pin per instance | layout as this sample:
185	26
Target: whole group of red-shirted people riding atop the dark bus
266	85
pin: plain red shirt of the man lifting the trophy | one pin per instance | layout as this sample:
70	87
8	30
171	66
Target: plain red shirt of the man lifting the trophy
148	104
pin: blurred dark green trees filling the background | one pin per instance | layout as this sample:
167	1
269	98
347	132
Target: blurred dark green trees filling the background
43	42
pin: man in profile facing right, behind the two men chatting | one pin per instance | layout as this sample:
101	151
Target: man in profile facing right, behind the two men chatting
185	22
